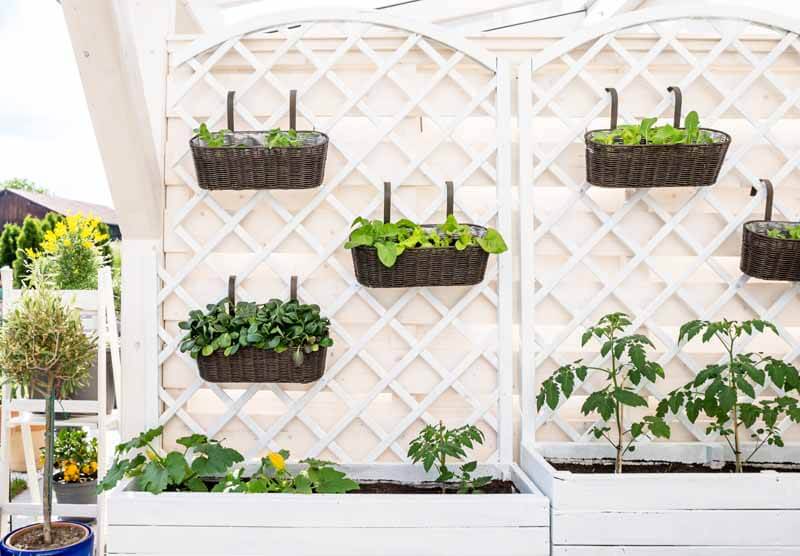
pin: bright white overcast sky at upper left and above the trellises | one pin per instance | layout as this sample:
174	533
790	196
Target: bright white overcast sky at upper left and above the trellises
45	131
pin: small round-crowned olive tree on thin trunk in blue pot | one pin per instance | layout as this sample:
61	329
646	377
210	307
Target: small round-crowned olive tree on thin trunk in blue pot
44	348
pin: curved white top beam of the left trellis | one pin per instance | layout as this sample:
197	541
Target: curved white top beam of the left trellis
272	21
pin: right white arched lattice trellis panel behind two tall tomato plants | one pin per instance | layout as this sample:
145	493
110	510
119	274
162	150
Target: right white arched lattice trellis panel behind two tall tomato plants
551	167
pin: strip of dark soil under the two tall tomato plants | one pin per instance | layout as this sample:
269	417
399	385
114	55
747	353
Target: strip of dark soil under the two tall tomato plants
607	466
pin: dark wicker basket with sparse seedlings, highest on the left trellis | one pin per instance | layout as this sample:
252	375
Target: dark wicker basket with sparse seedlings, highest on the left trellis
255	166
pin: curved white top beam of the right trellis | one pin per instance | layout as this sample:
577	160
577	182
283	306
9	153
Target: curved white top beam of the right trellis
655	15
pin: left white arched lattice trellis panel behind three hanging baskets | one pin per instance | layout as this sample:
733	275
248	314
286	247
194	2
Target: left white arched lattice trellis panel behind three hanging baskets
401	102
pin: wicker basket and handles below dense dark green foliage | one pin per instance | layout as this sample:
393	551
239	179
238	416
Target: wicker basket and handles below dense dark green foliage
257	365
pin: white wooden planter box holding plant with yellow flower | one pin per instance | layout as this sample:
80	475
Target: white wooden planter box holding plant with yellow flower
205	524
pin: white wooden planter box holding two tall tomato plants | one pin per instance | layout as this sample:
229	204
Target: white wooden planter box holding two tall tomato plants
659	514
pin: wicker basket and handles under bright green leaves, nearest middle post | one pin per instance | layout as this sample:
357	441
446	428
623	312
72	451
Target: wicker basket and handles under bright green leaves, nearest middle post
433	266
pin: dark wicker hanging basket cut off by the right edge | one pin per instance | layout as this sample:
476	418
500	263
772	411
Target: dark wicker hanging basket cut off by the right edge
765	257
